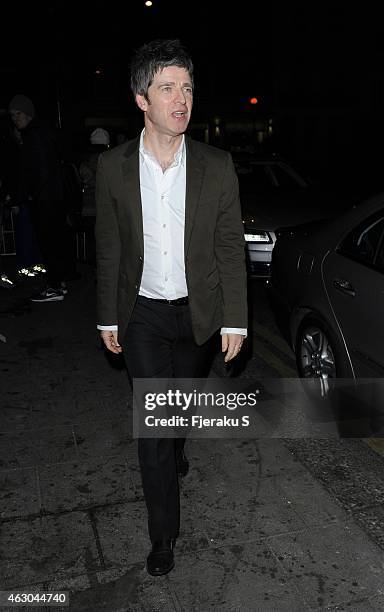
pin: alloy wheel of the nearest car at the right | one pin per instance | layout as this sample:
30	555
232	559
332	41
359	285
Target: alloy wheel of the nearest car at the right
318	355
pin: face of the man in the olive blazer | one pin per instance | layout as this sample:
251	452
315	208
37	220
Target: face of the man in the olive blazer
170	98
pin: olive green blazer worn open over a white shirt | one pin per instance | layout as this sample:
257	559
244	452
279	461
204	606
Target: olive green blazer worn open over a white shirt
213	240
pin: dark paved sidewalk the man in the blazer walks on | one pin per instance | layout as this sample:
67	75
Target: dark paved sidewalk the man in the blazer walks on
261	527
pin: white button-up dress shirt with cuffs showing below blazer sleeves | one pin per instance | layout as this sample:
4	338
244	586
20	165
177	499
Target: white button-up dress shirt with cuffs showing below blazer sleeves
163	206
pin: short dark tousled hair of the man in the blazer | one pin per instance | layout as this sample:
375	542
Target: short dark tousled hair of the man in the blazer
154	56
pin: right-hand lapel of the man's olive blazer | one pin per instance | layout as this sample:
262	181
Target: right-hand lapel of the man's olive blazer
194	182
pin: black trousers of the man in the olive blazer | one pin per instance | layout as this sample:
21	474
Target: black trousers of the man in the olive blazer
159	343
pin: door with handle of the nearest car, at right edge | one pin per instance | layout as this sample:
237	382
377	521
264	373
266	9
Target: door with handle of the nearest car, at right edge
353	275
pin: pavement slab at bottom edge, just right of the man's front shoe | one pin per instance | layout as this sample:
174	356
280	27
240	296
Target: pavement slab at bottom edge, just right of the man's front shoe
235	577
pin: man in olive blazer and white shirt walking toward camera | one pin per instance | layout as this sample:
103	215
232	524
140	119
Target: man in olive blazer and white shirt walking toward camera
170	251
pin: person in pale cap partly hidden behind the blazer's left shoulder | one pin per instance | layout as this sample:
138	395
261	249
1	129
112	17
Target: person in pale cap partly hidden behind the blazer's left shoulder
99	142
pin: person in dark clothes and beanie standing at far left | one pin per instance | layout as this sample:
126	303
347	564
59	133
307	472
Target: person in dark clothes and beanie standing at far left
39	184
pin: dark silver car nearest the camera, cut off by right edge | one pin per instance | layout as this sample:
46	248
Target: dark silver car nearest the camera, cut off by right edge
329	280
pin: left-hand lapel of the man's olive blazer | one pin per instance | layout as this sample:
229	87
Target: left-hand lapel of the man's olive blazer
131	180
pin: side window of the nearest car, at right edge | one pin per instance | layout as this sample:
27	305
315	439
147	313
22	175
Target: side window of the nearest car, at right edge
362	243
